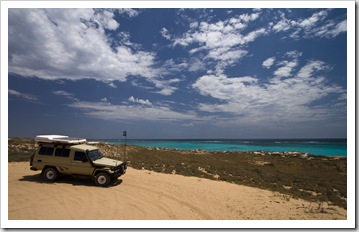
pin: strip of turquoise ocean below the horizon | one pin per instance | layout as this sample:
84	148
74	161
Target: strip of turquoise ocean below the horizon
322	147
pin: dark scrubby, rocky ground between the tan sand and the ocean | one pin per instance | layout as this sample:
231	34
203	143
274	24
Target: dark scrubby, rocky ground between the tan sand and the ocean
293	174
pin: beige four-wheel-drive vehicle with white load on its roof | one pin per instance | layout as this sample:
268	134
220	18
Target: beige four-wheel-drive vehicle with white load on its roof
61	155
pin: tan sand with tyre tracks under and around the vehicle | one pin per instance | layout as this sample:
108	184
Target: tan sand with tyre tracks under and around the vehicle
141	194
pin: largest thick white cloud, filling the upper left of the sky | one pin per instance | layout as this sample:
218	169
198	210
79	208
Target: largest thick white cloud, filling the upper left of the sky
72	44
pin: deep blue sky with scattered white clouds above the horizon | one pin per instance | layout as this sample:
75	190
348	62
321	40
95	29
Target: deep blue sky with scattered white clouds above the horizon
178	73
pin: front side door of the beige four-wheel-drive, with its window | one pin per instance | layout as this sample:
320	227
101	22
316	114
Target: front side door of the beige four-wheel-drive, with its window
80	164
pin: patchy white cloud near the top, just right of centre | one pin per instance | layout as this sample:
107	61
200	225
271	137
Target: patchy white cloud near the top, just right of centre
222	41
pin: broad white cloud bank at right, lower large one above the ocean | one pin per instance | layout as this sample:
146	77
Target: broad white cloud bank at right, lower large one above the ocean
286	94
